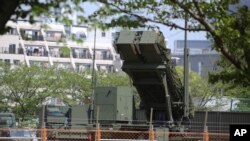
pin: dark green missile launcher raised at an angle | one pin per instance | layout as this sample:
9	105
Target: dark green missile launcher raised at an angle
148	63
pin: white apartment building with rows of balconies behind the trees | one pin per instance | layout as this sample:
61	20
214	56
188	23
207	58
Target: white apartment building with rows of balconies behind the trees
43	44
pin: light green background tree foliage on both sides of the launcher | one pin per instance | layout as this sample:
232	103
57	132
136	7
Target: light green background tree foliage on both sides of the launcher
24	88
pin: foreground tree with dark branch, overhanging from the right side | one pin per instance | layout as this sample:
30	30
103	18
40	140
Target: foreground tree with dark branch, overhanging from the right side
229	30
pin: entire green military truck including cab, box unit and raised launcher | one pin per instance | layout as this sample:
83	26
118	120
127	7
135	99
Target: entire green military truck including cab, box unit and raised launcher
147	62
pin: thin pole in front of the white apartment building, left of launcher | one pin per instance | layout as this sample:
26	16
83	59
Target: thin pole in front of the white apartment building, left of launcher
93	84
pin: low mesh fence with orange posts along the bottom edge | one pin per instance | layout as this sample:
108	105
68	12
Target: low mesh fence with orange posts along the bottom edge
106	135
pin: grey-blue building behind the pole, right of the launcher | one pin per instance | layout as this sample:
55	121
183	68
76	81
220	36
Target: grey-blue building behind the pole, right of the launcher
202	58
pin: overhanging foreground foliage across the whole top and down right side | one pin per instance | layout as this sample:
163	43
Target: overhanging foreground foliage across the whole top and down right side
228	29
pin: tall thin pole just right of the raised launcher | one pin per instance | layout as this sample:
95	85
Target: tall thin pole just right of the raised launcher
186	70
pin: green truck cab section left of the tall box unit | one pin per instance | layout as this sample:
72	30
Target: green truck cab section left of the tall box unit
65	118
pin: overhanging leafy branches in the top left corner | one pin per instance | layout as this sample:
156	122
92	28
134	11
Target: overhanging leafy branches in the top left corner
31	10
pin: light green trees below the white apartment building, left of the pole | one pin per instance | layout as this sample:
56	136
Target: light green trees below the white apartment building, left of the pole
24	88
